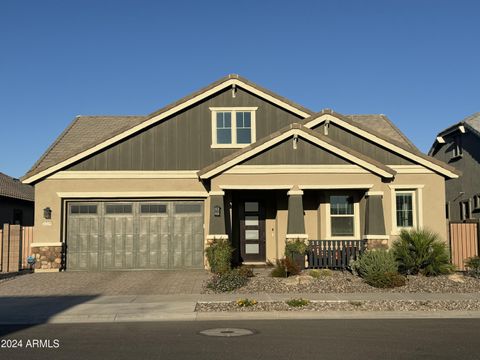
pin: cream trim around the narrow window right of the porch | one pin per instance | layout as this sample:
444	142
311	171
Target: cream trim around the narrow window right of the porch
417	206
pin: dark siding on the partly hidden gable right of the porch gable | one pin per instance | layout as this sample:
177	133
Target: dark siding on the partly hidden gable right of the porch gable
363	146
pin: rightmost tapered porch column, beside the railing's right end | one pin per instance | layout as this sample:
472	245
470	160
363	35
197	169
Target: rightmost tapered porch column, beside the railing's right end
375	232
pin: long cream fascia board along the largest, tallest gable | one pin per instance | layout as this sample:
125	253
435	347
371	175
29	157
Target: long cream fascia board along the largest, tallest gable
156	118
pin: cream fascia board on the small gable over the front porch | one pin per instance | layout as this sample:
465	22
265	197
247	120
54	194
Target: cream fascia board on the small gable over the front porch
306	136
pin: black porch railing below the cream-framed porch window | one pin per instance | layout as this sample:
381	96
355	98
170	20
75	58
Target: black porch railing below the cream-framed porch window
333	254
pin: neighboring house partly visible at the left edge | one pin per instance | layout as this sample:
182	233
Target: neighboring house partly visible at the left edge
16	201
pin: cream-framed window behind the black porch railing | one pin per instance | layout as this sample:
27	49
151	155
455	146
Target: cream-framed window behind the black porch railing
342	216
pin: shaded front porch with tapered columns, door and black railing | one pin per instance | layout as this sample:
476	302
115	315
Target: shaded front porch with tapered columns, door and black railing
337	223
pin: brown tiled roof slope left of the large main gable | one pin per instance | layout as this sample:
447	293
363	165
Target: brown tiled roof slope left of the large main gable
84	132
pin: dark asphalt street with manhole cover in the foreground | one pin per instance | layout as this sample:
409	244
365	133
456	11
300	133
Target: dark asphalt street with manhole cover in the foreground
290	339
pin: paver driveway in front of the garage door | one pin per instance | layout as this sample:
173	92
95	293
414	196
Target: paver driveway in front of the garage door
105	283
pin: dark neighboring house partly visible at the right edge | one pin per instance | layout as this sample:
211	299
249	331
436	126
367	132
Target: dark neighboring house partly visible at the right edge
459	145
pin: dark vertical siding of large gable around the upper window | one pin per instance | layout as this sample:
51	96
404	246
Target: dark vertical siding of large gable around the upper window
183	142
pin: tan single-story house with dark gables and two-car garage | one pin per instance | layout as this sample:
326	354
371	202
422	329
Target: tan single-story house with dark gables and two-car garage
232	160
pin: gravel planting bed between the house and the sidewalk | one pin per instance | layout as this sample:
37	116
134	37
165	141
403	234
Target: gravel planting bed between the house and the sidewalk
346	282
